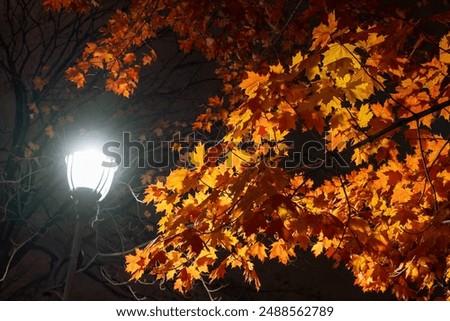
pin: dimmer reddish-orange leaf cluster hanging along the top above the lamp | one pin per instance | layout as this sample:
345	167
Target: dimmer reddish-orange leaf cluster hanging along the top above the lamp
237	34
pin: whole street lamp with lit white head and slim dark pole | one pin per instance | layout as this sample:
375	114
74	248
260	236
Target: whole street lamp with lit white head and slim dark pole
90	174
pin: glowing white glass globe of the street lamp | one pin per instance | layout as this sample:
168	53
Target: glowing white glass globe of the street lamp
85	169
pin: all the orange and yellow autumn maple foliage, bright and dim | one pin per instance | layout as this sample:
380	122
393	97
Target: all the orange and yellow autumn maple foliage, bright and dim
366	80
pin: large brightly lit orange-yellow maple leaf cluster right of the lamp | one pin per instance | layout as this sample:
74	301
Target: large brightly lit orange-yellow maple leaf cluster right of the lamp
388	219
